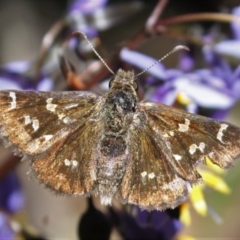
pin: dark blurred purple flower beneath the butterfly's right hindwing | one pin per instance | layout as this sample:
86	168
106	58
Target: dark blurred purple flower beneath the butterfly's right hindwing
142	224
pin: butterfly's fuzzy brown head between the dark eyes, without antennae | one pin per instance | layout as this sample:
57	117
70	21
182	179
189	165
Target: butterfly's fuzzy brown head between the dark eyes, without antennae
124	79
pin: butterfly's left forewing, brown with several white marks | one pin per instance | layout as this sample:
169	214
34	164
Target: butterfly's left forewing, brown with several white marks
31	122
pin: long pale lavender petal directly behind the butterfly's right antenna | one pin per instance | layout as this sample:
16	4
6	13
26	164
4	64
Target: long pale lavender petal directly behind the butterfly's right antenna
143	62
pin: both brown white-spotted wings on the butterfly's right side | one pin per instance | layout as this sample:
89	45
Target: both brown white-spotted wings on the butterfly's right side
165	146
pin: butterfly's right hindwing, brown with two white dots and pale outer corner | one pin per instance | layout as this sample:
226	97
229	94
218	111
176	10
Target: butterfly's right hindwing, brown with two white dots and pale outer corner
150	180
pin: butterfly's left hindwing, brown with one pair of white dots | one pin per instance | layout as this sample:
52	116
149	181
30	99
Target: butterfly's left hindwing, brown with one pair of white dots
70	165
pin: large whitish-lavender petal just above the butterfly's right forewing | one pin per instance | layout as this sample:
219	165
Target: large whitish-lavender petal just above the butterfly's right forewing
203	95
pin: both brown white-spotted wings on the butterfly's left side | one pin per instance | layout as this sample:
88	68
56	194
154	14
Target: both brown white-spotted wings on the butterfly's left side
57	140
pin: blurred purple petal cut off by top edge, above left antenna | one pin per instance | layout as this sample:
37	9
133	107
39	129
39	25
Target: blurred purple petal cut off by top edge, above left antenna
86	7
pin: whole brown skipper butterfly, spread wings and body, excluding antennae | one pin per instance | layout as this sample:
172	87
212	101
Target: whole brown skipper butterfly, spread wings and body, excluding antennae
114	145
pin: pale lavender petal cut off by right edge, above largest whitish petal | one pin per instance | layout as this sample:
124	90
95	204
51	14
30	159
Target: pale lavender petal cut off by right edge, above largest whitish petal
228	47
